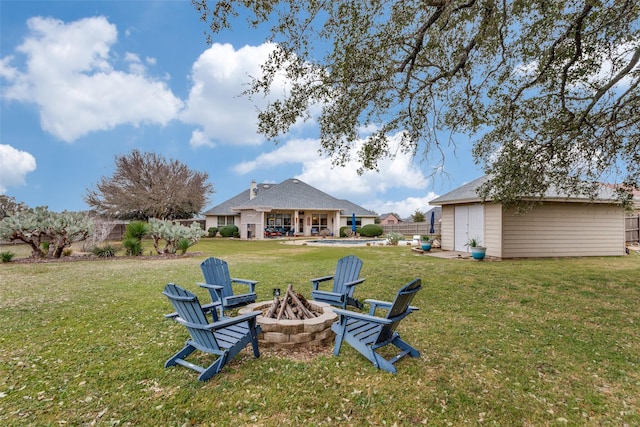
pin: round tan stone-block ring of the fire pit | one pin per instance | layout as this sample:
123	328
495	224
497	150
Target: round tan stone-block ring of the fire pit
290	334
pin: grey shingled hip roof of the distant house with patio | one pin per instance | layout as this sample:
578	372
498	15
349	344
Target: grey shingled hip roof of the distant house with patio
290	194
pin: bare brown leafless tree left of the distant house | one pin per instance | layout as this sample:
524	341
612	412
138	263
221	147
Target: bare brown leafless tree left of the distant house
145	185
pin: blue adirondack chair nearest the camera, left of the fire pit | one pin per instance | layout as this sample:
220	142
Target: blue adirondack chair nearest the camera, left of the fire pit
224	338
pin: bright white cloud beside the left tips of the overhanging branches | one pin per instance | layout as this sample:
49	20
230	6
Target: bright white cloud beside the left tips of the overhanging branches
216	103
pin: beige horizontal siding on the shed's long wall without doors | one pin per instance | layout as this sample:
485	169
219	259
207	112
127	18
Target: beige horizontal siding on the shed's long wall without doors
564	229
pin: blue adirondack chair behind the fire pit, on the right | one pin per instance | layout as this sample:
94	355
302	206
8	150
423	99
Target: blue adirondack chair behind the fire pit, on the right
344	284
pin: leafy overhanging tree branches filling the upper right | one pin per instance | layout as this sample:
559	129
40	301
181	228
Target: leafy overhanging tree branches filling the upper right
547	91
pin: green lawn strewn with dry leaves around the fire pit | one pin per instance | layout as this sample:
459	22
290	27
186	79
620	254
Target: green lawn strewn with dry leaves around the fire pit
518	342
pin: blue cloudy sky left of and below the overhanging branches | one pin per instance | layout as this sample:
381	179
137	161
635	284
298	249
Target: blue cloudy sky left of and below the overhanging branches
82	82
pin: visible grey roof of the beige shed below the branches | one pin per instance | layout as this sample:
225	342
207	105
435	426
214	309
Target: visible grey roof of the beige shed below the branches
468	193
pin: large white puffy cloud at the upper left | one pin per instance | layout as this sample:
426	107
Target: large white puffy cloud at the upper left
70	77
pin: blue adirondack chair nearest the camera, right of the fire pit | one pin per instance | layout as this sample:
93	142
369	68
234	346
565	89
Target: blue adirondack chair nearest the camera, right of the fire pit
368	333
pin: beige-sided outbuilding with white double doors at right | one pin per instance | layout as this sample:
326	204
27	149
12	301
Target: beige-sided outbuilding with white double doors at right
559	226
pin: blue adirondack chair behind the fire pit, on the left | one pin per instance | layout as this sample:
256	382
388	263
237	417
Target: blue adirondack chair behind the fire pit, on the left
219	283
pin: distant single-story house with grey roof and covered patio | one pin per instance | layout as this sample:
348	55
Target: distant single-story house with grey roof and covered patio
289	208
